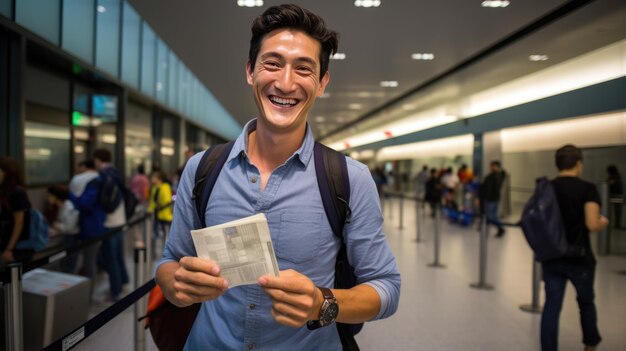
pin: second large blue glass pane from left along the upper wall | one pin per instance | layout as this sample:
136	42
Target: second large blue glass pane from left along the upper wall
78	27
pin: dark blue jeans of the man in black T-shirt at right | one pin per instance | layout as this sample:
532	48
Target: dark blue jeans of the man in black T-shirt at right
555	277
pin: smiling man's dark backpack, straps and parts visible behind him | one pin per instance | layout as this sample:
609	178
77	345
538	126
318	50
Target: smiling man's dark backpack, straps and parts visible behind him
332	178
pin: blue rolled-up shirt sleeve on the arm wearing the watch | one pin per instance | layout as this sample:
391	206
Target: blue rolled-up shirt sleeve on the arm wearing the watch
368	251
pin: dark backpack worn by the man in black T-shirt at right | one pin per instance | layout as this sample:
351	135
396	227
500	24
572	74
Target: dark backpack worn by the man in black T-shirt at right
543	227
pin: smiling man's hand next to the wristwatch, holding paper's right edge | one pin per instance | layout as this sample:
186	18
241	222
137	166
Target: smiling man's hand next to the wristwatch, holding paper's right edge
295	299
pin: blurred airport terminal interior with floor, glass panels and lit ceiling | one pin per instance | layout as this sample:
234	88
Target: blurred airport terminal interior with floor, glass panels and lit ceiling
415	85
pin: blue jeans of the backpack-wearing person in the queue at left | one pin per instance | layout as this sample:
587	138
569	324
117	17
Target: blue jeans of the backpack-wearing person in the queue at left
113	259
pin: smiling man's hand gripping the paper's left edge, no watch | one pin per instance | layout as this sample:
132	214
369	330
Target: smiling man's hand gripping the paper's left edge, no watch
196	280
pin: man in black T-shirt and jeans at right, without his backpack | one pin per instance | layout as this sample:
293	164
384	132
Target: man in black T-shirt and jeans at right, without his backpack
579	203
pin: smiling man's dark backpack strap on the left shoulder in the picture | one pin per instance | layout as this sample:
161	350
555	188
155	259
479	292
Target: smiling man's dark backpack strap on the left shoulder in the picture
206	175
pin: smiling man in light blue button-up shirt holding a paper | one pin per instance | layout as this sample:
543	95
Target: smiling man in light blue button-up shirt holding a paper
271	170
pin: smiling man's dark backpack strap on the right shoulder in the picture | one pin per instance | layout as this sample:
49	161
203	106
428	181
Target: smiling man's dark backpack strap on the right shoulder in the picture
332	178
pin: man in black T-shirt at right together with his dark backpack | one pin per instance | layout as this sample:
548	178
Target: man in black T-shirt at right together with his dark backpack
558	231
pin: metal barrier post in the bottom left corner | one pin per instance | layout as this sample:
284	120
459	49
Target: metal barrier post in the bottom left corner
13	323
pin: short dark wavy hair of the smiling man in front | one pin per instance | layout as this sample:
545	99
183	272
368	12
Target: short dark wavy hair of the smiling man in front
293	17
